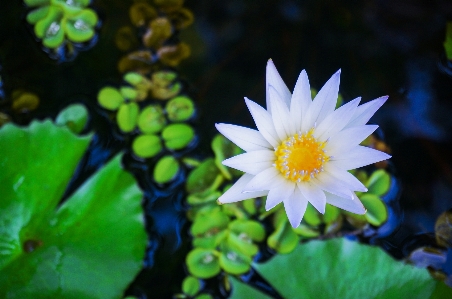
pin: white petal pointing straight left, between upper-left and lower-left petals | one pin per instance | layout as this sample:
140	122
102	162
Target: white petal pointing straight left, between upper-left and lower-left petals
252	162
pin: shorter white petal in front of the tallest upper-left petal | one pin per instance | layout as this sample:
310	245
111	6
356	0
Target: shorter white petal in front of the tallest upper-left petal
280	115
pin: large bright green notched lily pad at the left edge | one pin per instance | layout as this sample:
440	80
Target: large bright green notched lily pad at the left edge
89	247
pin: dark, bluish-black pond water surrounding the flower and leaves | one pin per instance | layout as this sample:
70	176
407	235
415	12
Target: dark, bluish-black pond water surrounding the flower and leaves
383	47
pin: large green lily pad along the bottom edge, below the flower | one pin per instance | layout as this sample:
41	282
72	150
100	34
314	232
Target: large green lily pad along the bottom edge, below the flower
340	268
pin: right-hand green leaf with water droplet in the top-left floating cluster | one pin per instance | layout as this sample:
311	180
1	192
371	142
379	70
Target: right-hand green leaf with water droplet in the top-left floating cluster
80	27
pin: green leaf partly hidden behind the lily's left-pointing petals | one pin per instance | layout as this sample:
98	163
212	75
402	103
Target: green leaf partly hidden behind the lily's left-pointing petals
223	148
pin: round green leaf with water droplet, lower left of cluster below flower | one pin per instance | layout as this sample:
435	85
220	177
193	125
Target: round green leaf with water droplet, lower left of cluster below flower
203	263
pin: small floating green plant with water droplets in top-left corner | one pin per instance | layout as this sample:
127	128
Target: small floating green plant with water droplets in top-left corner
57	22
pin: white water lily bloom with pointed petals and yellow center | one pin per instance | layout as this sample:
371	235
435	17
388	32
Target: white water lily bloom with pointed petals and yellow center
303	148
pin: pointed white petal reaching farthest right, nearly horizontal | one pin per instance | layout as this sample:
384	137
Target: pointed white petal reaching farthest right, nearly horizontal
357	157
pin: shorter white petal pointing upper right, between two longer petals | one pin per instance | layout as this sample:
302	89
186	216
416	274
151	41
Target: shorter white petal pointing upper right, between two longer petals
336	121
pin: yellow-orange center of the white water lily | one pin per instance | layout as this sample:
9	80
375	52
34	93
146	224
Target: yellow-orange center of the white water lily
301	157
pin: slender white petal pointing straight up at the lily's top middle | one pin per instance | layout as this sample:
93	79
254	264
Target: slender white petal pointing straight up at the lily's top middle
301	100
